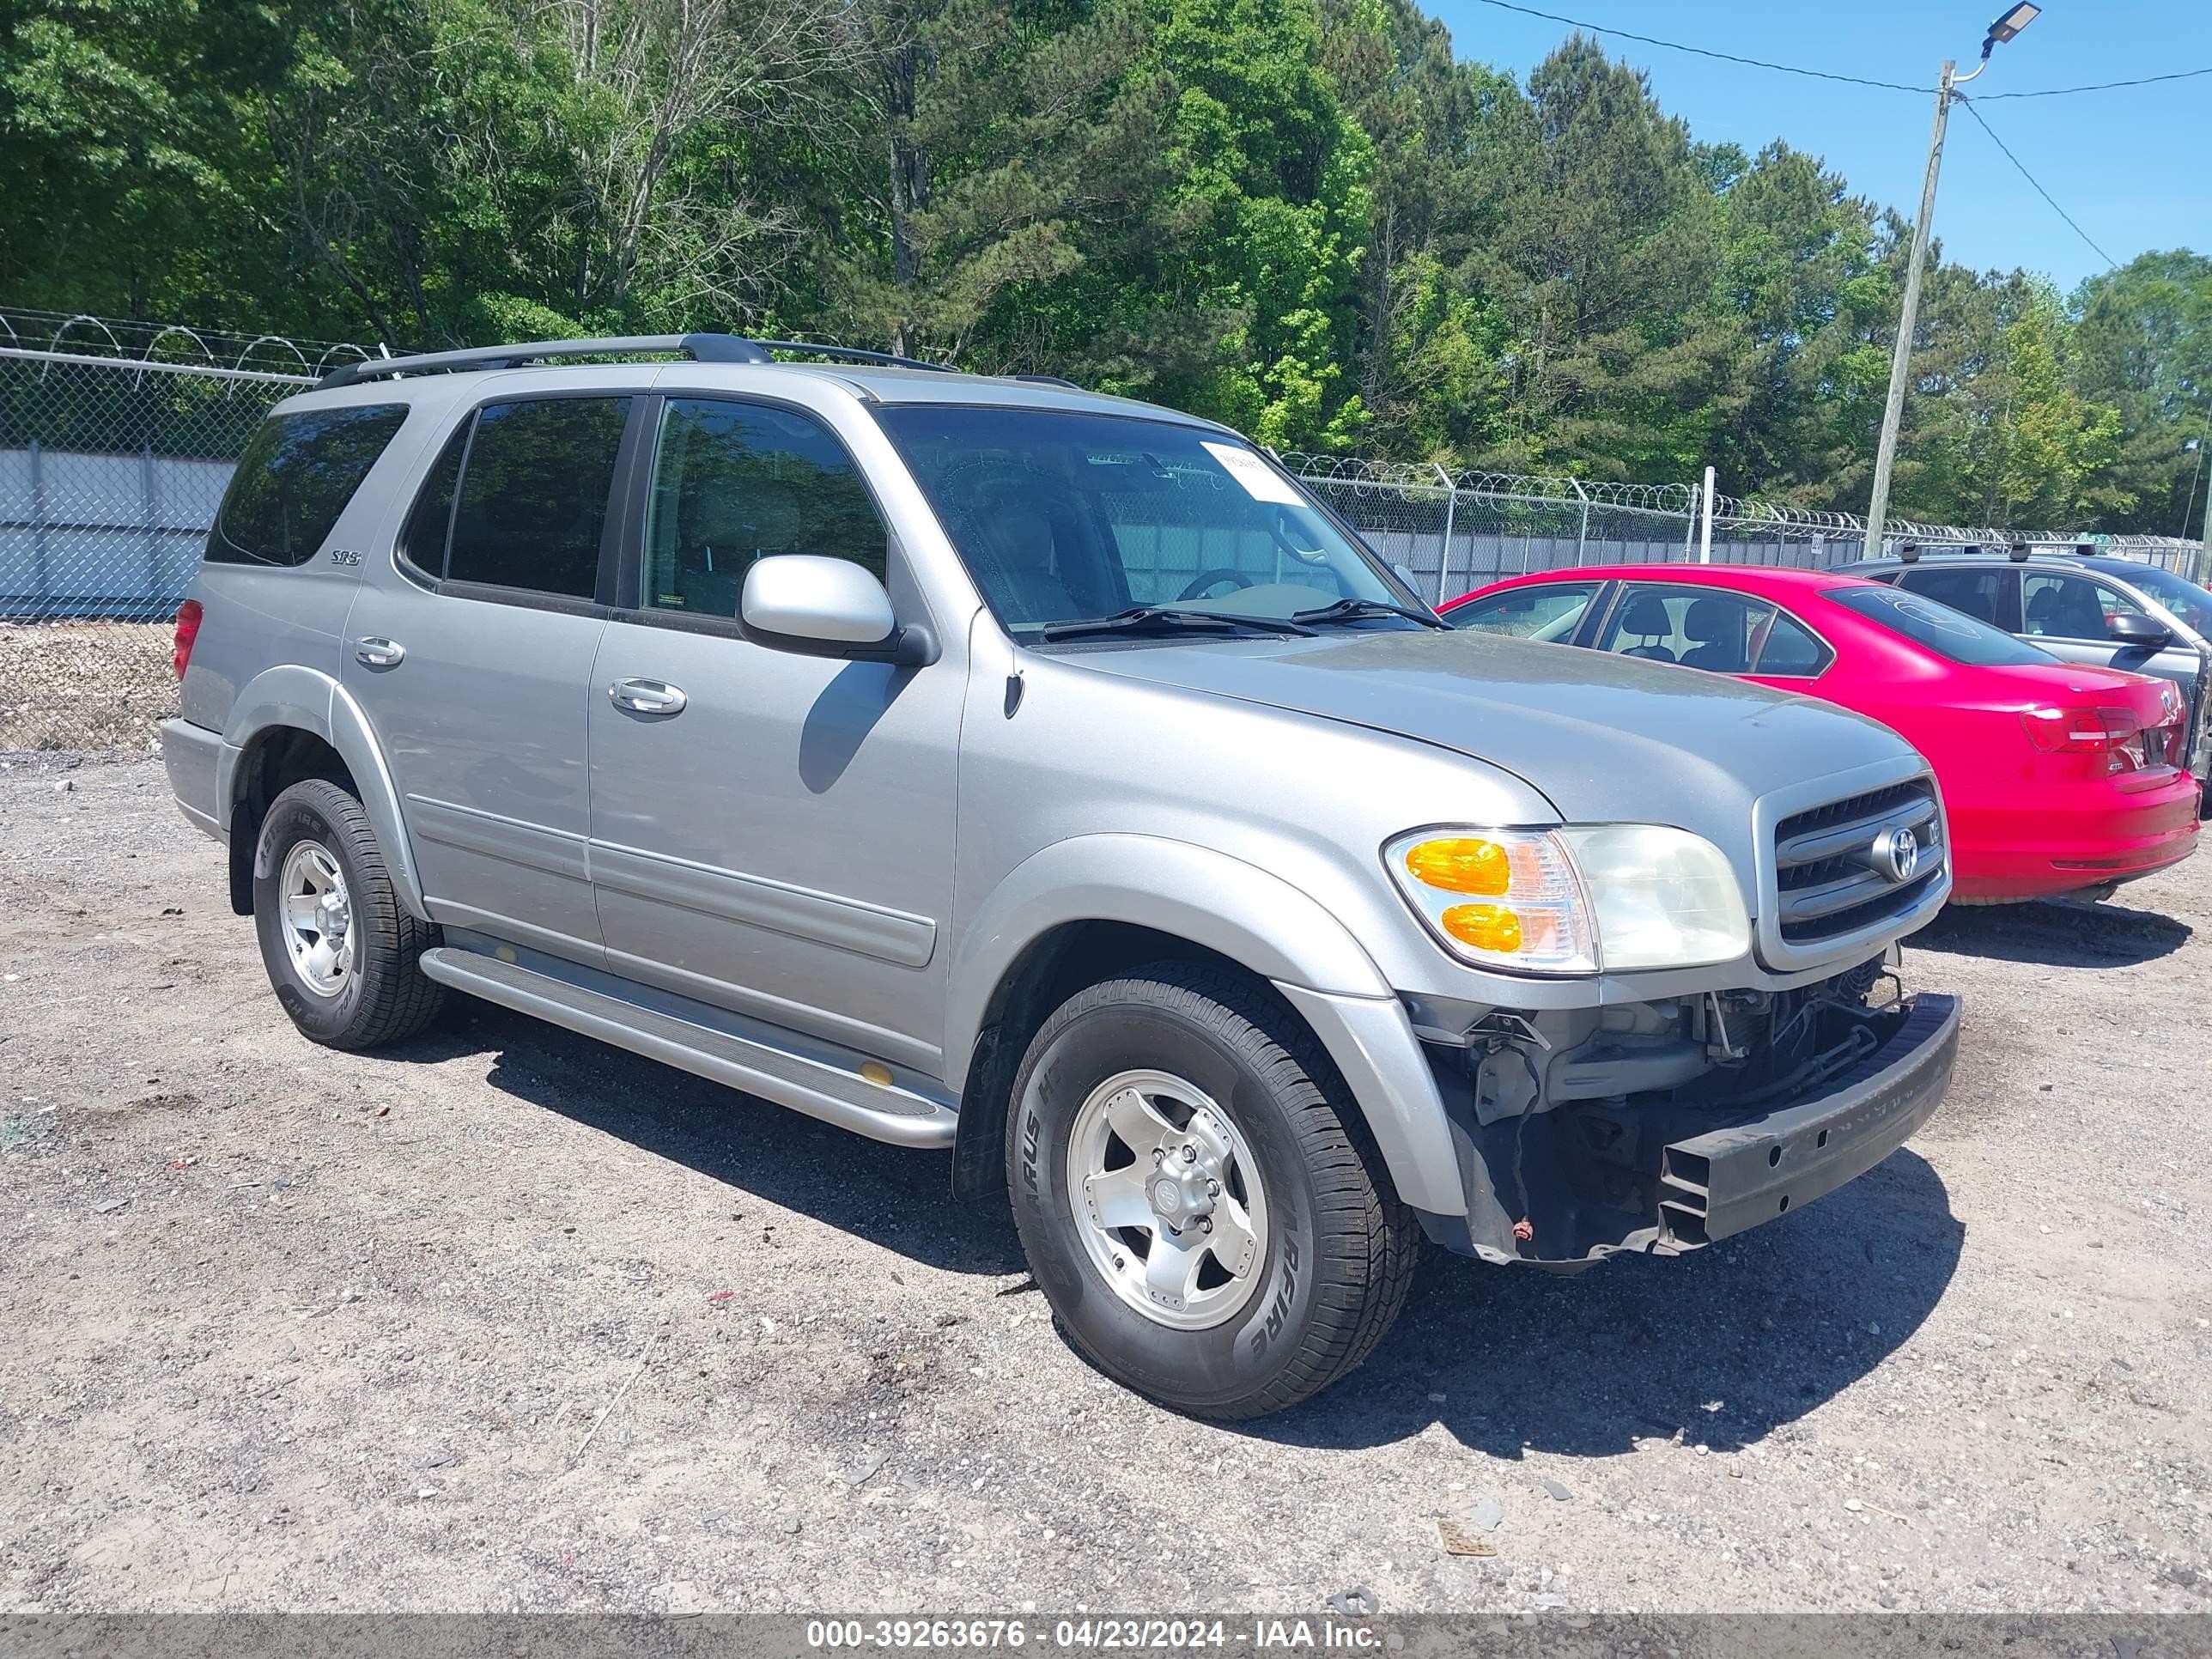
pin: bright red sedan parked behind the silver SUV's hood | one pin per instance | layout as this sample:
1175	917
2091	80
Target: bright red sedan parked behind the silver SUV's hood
2058	778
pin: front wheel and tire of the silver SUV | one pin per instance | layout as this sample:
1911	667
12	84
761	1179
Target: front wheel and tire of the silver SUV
1331	1251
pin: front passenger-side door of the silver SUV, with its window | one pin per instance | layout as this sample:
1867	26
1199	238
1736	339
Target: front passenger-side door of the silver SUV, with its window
771	833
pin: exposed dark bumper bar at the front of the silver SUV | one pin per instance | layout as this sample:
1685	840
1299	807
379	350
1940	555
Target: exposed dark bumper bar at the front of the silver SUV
1729	1180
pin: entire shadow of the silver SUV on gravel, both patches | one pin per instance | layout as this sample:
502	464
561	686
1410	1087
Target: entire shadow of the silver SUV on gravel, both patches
1720	1346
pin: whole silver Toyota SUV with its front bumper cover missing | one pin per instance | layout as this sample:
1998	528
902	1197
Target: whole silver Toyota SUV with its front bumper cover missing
988	766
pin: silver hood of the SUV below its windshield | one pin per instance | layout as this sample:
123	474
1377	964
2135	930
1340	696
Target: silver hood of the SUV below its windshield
1605	740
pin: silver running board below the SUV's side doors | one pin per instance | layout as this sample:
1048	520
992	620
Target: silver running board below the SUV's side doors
815	1085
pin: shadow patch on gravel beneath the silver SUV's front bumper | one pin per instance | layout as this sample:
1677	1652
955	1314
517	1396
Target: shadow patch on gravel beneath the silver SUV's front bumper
1720	1346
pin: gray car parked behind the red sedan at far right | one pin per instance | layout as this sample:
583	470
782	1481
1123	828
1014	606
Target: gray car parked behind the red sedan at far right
2083	607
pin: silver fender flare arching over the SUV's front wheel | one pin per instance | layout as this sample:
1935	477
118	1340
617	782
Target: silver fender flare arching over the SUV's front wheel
1251	917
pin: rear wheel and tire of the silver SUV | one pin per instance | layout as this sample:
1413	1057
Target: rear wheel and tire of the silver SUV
371	990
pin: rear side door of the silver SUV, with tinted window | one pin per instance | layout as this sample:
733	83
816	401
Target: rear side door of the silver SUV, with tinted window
472	660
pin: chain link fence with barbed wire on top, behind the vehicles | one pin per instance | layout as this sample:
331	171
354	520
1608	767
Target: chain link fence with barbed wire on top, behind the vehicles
118	439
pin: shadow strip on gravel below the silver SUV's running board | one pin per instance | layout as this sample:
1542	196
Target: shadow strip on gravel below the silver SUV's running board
888	1196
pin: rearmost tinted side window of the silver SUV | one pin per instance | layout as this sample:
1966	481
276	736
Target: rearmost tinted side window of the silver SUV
295	479
